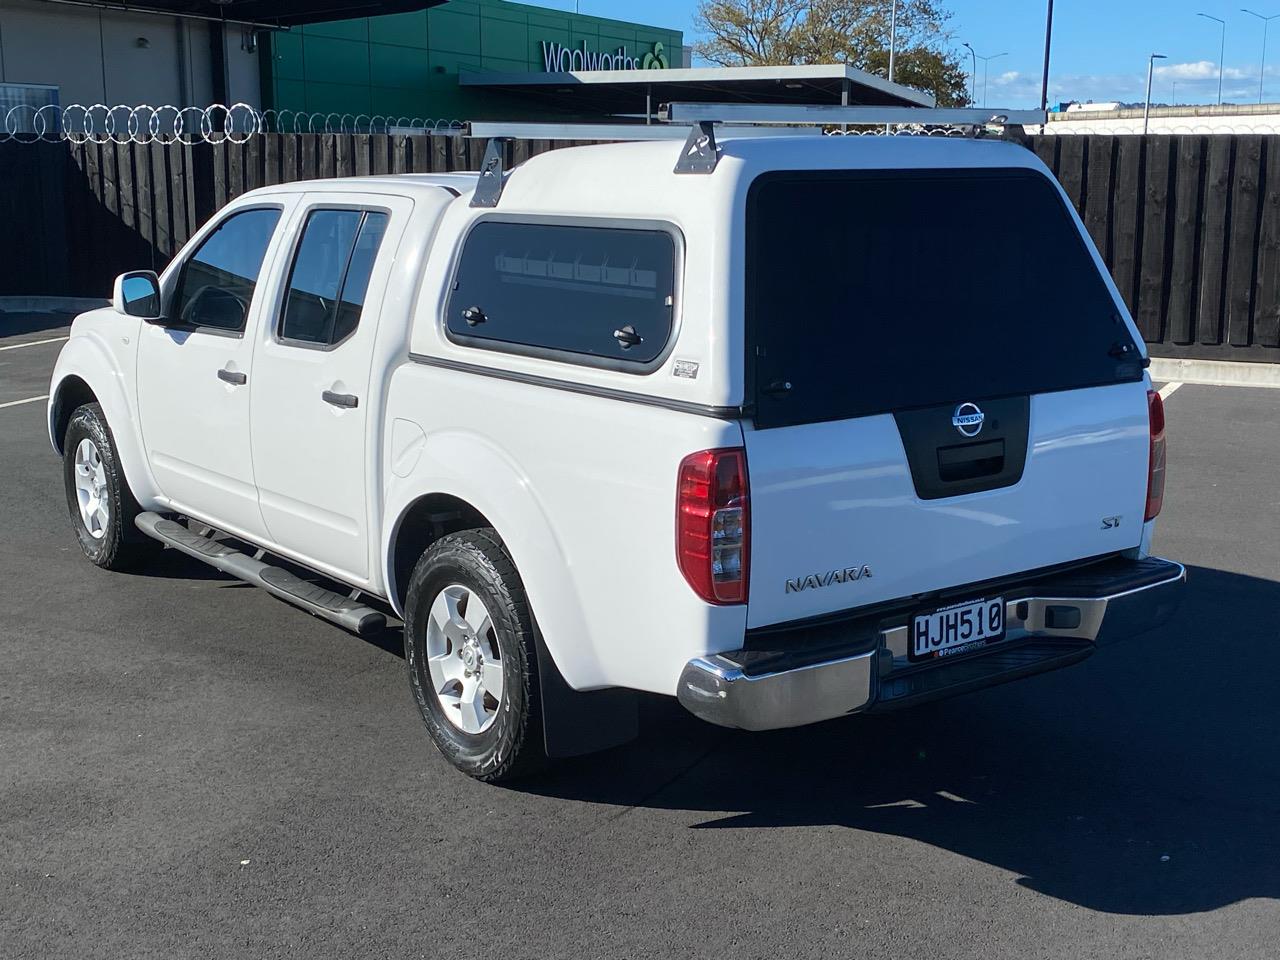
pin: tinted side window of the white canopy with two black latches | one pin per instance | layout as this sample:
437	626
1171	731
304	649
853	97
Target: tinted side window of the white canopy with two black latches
566	290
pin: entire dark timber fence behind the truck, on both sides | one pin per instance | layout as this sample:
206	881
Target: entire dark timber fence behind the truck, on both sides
1190	226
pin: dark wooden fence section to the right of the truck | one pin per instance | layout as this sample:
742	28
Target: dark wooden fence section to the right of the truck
1190	227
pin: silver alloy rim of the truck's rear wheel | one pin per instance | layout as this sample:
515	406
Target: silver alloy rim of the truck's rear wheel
464	660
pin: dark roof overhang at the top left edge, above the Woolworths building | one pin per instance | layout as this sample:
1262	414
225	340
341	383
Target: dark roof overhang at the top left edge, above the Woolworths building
262	13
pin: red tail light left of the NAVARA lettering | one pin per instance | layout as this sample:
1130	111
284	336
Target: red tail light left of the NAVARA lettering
714	524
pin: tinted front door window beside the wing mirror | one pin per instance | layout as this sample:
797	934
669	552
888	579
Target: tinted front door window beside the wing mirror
218	281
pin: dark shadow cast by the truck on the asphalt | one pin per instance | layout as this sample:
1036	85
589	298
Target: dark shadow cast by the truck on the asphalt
1144	781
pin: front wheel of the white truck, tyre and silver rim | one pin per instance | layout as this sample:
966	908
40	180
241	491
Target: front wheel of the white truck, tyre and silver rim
99	500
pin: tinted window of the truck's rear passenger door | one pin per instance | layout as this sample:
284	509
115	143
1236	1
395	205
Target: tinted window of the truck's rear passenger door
331	276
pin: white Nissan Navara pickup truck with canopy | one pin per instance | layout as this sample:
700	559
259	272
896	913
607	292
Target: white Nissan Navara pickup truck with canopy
798	429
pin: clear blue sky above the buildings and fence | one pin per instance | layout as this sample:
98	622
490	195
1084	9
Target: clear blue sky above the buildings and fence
1100	47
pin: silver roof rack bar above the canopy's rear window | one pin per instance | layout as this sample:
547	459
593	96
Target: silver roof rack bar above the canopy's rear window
833	115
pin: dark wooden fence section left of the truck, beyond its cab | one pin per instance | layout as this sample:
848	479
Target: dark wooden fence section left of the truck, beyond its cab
76	216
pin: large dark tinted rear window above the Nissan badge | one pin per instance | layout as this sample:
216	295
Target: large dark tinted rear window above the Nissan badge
876	292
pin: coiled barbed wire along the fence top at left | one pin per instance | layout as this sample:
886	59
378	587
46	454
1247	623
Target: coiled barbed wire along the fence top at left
217	124
